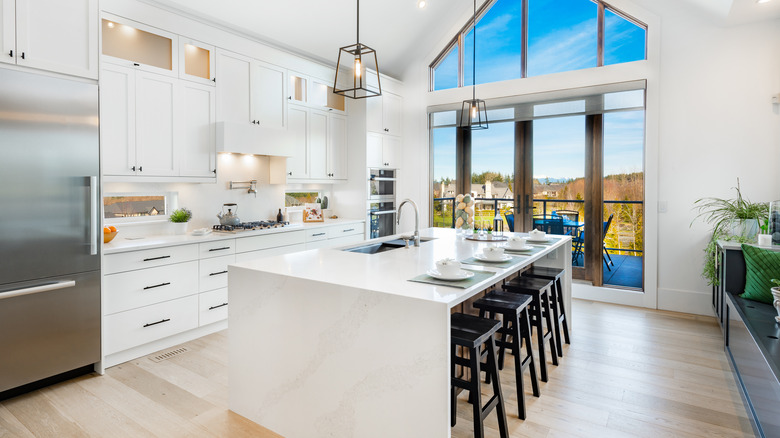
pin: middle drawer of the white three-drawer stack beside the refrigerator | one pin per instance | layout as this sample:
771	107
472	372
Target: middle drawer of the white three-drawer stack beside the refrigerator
128	290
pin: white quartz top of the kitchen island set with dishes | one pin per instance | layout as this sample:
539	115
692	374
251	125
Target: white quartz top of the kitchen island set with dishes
390	271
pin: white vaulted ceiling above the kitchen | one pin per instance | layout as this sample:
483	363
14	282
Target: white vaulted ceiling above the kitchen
398	30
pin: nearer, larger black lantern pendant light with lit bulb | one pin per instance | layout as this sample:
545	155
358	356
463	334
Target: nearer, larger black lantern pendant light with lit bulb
357	70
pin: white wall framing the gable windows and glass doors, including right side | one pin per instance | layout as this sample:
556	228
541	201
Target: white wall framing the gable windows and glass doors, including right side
709	120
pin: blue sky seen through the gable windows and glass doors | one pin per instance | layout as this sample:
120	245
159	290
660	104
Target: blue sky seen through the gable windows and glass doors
562	36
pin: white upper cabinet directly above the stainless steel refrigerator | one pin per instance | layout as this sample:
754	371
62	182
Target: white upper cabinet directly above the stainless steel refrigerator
54	35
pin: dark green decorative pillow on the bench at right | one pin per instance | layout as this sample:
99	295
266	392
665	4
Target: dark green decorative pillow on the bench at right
762	266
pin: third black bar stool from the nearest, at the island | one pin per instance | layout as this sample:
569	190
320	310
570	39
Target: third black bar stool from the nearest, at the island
540	290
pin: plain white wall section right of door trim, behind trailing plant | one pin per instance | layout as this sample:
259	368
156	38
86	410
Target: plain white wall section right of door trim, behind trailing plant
717	124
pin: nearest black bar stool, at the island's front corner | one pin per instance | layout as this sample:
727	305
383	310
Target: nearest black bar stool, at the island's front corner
471	333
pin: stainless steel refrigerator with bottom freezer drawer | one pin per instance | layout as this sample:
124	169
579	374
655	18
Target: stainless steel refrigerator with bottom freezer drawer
49	229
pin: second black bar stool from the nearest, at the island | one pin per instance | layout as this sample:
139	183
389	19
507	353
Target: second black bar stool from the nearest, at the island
517	324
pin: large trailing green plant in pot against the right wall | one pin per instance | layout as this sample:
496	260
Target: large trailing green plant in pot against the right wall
732	219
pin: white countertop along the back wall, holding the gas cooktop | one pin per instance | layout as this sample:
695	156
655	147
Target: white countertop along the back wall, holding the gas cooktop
124	244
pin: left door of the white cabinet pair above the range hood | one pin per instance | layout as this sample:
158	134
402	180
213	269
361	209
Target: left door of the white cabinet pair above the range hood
234	75
